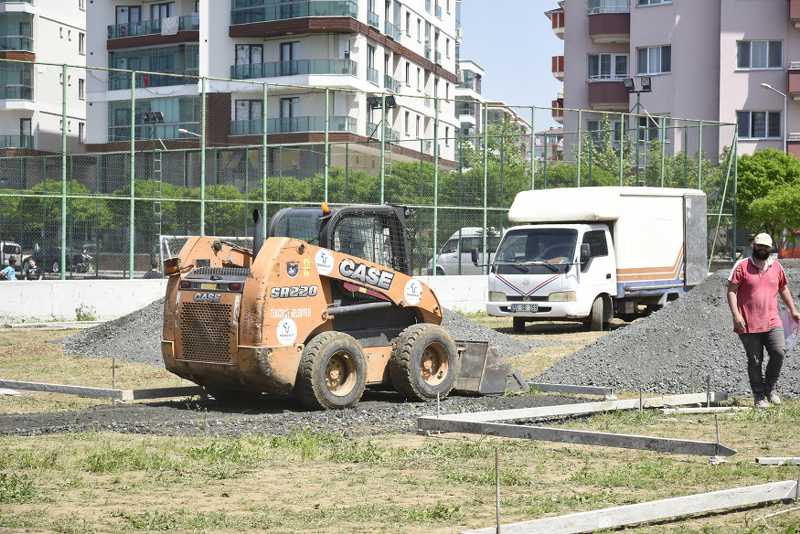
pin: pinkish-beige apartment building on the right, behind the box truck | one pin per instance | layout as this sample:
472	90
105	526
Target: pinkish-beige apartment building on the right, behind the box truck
707	60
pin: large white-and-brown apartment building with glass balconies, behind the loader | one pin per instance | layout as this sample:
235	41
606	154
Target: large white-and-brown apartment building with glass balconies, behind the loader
356	48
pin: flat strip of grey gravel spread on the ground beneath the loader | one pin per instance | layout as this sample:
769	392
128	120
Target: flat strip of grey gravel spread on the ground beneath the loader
378	413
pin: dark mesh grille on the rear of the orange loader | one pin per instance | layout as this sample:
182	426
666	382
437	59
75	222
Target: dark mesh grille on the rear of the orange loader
205	332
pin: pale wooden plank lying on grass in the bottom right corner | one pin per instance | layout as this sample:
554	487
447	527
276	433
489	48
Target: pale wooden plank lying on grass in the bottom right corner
647	512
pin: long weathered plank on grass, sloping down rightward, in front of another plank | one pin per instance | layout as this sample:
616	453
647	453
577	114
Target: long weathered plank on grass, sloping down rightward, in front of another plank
578	437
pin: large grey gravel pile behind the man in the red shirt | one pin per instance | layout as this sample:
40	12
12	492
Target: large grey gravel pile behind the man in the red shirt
676	348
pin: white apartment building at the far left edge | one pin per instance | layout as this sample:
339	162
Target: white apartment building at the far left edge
31	96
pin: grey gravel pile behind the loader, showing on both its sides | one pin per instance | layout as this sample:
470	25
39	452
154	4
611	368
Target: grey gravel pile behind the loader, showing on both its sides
136	337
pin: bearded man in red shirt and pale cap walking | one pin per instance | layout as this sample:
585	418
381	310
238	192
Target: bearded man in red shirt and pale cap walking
753	286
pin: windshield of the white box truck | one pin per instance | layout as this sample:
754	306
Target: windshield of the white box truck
536	251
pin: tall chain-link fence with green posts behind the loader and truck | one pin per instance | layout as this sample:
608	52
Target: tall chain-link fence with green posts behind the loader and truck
120	158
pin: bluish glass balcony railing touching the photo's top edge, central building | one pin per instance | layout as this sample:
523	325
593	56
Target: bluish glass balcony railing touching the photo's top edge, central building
243	12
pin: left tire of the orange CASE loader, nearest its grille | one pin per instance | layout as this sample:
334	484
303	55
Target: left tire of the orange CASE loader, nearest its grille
332	373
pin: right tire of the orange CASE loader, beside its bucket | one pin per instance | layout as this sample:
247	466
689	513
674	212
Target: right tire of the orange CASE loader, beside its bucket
424	363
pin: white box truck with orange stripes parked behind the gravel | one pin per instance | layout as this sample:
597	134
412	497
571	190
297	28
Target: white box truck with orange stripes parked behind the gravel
591	253
